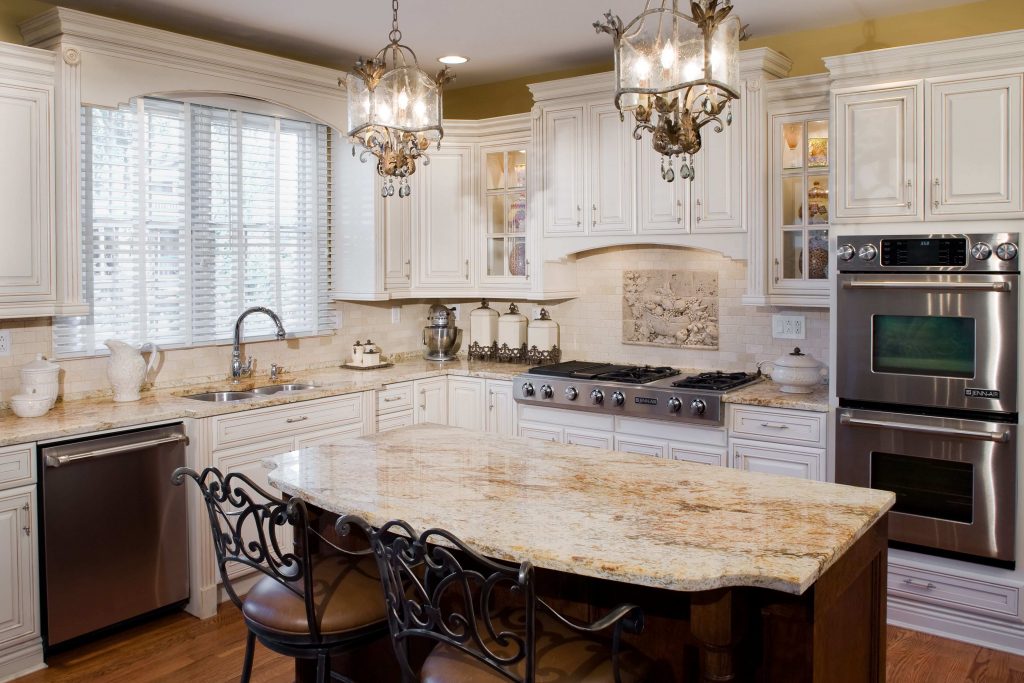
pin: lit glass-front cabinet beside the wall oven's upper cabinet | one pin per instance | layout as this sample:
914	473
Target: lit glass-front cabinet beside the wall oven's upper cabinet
799	204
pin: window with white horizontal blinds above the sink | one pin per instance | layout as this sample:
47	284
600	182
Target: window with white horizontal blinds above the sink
193	214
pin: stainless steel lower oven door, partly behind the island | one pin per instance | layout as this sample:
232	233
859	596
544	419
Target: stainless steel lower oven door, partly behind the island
955	480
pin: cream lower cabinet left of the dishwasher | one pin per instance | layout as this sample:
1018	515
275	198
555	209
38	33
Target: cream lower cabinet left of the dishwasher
21	648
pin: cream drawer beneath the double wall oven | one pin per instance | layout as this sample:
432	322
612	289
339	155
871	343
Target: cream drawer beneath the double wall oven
956	592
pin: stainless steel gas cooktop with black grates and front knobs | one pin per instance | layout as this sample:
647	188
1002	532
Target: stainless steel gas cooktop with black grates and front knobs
633	391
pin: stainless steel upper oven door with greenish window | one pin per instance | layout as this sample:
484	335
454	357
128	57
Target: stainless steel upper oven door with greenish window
928	340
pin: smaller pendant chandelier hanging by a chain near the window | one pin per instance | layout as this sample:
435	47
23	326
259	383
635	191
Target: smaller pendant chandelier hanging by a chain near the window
395	110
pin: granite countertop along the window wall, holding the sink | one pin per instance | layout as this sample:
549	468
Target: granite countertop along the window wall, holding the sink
101	414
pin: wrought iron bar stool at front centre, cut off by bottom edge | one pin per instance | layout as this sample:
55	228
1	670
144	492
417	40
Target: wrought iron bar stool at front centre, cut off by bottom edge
485	618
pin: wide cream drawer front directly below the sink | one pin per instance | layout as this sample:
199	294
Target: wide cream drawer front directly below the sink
286	420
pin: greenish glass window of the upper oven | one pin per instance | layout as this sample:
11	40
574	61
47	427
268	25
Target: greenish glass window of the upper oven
923	346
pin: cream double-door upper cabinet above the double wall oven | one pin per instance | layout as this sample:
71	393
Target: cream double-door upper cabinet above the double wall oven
930	133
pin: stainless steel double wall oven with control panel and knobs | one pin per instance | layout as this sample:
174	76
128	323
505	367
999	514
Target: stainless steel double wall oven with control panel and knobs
927	380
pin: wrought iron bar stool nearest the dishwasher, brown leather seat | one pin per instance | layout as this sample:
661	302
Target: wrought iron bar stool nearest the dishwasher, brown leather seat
306	606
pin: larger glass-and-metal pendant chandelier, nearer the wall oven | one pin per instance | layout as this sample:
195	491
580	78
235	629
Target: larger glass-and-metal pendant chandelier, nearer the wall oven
676	73
